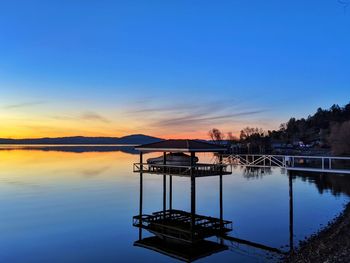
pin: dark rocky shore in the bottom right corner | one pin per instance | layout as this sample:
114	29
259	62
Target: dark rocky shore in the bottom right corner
331	244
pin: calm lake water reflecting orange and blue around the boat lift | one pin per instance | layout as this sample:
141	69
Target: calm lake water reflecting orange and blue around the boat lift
59	206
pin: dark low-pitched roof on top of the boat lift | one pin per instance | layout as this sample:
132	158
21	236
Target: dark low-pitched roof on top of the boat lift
180	146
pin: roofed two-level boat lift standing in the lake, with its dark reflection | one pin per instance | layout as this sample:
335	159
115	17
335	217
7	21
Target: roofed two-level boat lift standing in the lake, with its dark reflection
168	225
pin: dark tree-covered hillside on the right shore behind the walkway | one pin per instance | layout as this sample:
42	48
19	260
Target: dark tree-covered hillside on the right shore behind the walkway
327	129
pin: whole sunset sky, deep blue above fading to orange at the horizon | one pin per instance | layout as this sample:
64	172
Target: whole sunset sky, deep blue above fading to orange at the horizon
172	69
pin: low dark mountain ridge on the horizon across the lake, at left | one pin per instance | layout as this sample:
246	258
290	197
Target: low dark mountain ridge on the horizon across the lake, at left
130	139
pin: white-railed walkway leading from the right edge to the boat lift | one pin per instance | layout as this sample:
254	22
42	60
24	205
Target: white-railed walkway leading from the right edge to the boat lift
328	164
